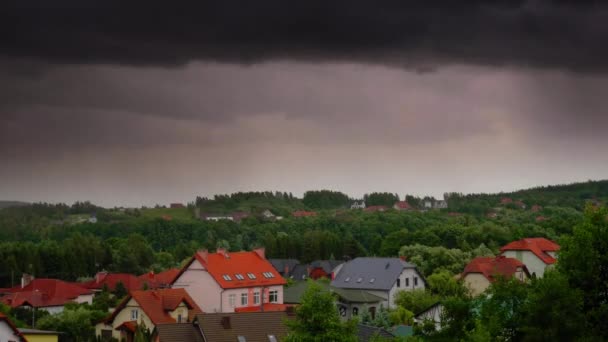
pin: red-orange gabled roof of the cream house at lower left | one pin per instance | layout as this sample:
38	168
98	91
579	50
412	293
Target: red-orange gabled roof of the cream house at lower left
157	304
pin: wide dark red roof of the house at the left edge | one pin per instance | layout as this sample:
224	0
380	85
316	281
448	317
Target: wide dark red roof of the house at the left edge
43	293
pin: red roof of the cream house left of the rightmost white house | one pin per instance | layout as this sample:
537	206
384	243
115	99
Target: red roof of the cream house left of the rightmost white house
491	267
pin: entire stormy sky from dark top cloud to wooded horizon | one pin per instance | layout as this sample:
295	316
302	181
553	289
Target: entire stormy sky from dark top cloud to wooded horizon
127	105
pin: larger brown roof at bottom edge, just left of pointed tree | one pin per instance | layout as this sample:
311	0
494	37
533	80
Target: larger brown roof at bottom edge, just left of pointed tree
254	326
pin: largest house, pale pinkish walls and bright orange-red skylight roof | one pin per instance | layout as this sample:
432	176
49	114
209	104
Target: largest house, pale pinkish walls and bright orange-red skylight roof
223	281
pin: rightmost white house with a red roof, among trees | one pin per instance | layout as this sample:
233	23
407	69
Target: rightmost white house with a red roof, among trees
536	253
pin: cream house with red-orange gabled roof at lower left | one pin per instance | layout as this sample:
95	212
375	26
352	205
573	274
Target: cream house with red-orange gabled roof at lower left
149	308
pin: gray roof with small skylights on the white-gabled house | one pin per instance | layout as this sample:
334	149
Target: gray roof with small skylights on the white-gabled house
370	273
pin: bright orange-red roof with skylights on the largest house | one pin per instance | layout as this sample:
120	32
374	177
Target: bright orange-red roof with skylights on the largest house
222	265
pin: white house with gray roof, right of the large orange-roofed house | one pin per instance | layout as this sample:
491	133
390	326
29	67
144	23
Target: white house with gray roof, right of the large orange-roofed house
383	277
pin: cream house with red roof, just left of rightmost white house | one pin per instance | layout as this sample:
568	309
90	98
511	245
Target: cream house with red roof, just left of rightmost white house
482	271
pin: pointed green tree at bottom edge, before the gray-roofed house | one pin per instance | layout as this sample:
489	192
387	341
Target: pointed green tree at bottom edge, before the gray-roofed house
317	319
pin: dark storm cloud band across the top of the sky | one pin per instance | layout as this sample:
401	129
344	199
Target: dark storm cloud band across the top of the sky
418	34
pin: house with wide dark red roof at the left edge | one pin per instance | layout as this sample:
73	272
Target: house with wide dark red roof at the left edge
46	294
